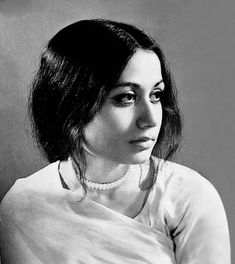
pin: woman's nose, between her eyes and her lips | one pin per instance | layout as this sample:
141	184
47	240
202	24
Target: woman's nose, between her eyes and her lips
149	115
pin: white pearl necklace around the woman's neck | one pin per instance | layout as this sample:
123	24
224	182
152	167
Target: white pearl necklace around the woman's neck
109	185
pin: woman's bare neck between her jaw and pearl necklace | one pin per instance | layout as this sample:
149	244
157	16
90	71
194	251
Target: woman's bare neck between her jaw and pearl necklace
101	170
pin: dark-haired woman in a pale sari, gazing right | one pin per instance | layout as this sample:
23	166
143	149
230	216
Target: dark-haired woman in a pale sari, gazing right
103	103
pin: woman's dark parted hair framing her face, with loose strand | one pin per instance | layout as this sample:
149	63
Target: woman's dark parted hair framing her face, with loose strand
78	68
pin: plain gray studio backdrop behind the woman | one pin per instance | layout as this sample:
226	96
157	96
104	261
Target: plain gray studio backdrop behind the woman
198	37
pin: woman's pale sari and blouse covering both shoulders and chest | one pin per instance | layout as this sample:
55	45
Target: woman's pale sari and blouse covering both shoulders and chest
41	222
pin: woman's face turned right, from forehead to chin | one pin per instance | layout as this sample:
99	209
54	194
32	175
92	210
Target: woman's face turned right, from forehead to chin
127	127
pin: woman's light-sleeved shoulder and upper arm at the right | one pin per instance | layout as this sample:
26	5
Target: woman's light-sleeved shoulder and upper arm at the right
192	214
